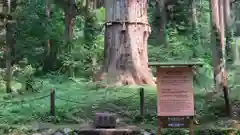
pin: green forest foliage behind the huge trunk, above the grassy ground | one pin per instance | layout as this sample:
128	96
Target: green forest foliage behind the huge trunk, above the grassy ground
87	45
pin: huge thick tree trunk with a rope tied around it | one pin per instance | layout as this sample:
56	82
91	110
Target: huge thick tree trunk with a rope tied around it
126	35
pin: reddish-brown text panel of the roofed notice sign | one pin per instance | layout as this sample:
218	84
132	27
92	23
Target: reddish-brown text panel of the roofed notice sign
175	93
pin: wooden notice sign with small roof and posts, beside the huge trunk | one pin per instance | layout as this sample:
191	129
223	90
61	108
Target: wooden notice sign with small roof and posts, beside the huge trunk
175	96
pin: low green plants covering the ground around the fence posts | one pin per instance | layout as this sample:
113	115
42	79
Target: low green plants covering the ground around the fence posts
83	100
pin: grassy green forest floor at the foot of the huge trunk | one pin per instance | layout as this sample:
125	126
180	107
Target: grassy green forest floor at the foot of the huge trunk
77	102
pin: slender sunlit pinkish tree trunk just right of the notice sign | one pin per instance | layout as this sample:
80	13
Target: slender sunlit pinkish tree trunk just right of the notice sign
218	48
